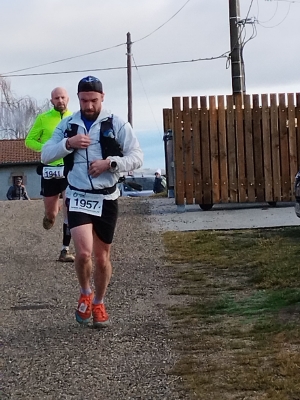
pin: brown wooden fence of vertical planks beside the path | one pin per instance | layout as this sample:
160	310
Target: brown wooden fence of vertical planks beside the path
229	149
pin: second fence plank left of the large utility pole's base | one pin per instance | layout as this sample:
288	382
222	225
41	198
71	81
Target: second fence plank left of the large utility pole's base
223	149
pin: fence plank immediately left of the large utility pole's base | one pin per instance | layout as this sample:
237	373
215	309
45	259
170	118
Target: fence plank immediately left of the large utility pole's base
231	146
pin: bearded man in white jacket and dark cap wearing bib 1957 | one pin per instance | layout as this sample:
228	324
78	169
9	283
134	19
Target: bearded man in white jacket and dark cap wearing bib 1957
103	146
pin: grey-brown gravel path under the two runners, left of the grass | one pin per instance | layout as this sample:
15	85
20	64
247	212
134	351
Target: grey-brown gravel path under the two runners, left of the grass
45	353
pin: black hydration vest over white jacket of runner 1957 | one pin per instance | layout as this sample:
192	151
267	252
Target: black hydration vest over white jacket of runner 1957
109	145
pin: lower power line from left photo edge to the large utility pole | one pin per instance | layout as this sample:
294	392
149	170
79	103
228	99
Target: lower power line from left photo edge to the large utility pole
224	55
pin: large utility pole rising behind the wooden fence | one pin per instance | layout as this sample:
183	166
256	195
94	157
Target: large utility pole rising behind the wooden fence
237	68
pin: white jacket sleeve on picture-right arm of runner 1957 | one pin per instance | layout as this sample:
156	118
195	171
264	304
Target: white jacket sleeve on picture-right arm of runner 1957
133	156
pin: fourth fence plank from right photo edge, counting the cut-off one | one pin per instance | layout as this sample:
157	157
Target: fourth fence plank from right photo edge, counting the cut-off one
275	148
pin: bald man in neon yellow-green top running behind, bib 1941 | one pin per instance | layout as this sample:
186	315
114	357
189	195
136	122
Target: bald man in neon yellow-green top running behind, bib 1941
53	181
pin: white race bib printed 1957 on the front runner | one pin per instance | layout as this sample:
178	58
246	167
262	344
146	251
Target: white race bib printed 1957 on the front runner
88	203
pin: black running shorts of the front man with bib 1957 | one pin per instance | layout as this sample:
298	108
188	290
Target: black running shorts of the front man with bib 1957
103	226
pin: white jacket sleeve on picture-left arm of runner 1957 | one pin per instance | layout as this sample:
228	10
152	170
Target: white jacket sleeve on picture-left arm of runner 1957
55	148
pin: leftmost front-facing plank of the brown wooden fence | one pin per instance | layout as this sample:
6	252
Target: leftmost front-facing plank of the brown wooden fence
178	152
